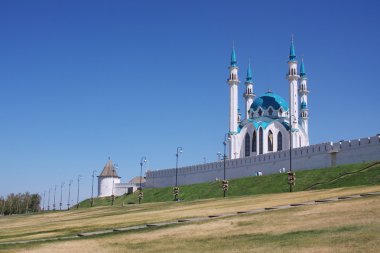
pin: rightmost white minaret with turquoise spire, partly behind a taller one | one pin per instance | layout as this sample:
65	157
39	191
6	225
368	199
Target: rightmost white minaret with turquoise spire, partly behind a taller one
303	92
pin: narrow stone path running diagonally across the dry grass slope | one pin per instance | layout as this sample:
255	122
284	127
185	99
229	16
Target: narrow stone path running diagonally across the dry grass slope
198	219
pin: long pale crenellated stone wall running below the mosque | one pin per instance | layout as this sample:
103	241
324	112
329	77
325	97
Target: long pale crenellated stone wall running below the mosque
304	158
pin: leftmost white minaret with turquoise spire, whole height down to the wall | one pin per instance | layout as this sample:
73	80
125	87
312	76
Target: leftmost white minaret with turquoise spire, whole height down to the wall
233	82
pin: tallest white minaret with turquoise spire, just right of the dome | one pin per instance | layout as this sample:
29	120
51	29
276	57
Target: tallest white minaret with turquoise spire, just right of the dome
293	77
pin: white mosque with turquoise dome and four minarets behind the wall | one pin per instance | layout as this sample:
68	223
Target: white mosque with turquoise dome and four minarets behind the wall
269	118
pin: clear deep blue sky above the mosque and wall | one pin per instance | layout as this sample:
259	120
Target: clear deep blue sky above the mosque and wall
84	80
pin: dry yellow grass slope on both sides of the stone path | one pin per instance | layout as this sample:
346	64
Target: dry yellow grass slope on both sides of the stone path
335	226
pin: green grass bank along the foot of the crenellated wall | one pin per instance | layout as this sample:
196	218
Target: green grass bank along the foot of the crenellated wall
332	177
